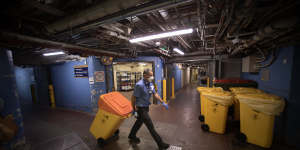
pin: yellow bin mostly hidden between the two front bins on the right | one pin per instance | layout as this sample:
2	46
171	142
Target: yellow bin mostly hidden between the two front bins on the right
236	104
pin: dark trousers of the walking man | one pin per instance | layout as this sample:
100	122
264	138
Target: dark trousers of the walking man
143	117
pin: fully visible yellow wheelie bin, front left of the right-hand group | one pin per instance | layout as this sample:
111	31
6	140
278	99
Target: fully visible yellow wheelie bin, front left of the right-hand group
216	110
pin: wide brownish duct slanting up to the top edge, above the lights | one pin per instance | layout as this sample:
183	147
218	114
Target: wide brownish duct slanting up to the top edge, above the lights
107	12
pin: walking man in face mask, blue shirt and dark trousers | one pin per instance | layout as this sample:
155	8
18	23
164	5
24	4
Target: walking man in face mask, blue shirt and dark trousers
143	91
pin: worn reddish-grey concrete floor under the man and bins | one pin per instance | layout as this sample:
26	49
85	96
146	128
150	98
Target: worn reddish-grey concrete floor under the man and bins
60	129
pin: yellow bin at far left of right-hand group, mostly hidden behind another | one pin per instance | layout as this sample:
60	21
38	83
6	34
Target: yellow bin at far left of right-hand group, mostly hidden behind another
202	90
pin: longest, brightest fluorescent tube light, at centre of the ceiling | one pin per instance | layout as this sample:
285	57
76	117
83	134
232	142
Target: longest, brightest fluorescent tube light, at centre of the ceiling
161	35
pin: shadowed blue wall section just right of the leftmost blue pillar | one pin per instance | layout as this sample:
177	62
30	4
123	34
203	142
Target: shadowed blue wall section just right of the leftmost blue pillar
24	79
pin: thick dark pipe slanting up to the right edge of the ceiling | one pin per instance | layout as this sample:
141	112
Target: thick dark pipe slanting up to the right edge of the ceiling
278	26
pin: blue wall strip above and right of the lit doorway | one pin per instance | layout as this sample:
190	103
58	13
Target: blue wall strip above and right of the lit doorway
158	62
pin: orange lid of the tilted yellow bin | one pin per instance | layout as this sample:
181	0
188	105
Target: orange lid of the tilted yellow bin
115	103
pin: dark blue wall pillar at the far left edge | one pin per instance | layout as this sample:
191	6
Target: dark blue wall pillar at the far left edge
9	93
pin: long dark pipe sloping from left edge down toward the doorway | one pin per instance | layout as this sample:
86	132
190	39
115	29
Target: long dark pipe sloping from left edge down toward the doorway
9	37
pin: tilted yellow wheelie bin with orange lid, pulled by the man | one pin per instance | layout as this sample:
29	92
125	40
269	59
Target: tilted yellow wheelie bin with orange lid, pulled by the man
114	108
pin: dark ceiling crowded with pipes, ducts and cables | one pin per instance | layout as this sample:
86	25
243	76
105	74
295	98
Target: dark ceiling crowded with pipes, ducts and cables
103	27
